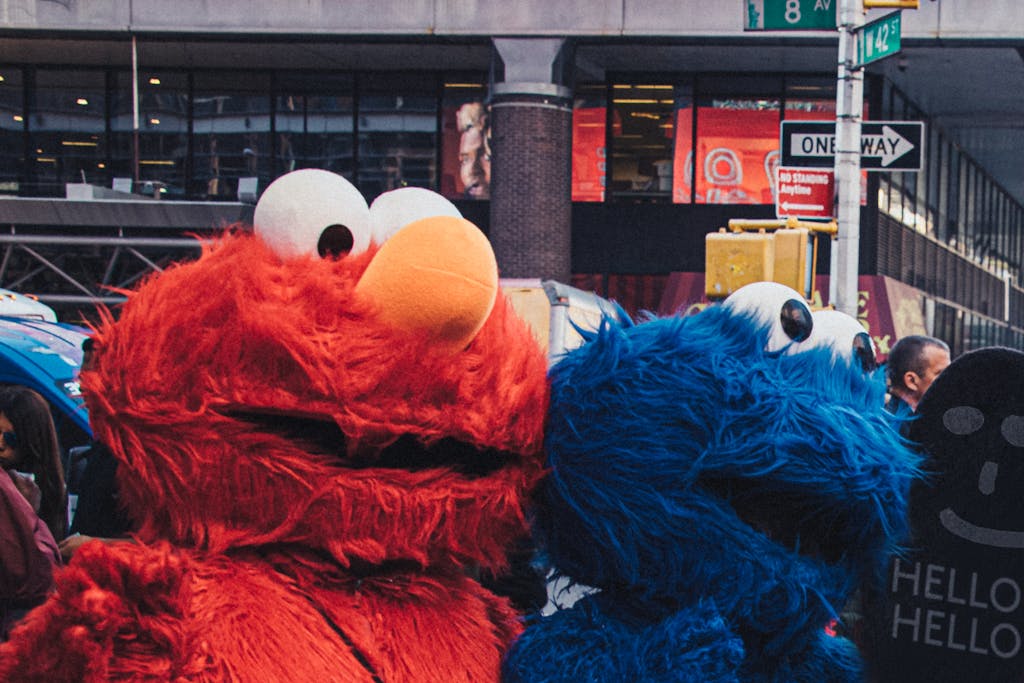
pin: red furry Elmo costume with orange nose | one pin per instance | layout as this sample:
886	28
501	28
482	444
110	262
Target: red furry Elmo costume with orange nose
323	440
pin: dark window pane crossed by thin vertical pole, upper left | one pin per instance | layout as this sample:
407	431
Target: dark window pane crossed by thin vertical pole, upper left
163	132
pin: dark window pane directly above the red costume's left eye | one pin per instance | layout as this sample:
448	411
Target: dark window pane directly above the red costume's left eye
315	123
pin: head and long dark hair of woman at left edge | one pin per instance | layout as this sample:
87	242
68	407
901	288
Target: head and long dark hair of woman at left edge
29	446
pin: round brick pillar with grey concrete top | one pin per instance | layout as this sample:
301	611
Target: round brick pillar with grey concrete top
531	180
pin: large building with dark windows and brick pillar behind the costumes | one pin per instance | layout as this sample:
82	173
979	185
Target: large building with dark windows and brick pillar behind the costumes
595	143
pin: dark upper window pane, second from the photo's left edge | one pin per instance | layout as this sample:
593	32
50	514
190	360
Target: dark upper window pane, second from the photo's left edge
68	131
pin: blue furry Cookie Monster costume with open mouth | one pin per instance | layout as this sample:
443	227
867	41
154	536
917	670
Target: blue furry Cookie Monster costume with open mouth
724	482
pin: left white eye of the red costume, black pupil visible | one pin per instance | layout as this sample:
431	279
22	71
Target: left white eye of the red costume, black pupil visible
313	212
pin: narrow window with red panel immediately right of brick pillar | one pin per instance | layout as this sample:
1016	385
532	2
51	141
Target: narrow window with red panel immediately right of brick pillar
590	116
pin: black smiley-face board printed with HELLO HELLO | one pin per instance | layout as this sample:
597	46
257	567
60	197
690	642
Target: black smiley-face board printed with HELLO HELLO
953	605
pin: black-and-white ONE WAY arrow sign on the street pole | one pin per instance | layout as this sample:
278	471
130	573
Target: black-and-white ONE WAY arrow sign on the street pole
885	146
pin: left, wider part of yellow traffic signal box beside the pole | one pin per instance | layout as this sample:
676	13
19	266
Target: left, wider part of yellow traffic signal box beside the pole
735	260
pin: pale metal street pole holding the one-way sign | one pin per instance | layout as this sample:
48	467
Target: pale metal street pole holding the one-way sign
849	107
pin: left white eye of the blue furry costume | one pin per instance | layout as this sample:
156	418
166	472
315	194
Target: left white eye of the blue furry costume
777	307
